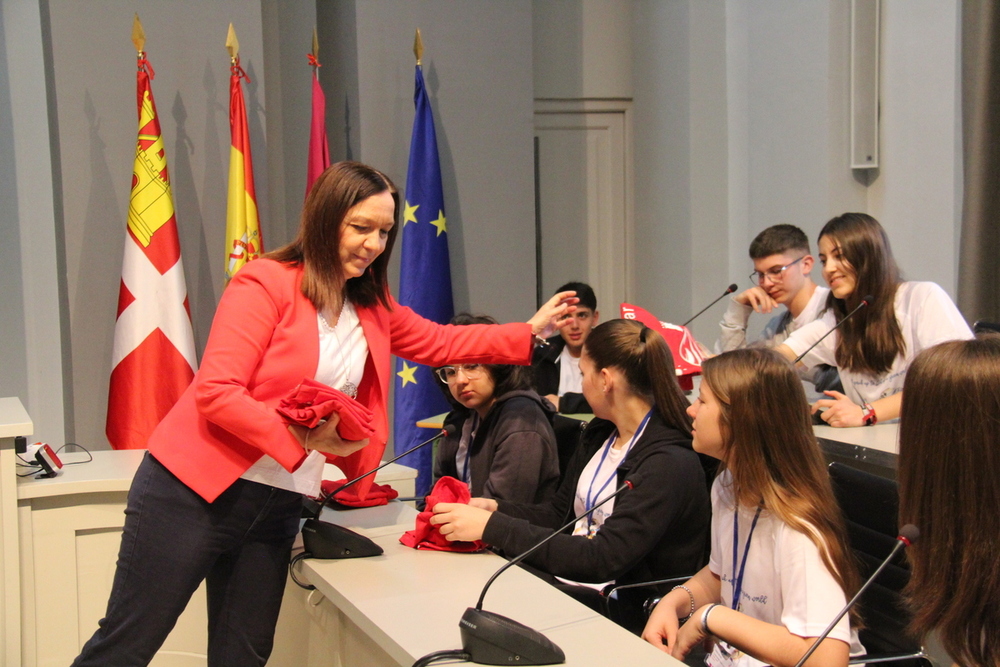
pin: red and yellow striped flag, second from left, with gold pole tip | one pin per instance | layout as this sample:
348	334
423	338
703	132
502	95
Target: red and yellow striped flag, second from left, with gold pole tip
243	240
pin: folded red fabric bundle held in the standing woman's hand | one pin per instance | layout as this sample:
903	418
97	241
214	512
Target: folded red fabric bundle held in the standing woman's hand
312	402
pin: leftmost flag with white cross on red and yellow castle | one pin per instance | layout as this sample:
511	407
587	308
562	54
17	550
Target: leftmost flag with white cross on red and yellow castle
153	357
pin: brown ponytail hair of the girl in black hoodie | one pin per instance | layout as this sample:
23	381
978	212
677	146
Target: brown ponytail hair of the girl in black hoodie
644	358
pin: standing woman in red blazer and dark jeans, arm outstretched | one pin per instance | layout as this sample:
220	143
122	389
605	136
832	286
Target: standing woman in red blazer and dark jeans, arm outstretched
218	496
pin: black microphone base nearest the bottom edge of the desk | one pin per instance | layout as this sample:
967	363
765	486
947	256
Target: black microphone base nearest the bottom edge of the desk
492	639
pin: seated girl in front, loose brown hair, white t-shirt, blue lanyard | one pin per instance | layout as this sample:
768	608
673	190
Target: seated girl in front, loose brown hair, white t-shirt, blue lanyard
780	568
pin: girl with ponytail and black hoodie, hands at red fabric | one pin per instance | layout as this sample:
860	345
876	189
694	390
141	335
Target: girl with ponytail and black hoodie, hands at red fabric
640	432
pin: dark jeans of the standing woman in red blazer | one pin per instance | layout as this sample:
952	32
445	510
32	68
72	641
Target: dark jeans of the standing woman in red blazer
173	539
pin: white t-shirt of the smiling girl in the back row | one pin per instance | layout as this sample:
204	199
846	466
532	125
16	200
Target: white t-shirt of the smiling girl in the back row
926	317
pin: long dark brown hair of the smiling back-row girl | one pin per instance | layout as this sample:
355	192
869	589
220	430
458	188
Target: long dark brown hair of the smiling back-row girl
870	340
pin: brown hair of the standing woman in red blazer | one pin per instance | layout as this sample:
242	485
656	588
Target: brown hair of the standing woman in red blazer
317	245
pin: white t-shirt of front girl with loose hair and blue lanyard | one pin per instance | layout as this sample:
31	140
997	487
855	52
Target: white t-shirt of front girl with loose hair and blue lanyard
785	581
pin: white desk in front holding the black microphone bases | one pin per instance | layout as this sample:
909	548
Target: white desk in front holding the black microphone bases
393	609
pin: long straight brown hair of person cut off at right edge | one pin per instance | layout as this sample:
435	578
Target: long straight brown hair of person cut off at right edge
949	467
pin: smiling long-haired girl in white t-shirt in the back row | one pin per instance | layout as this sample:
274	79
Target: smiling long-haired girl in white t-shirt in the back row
873	348
